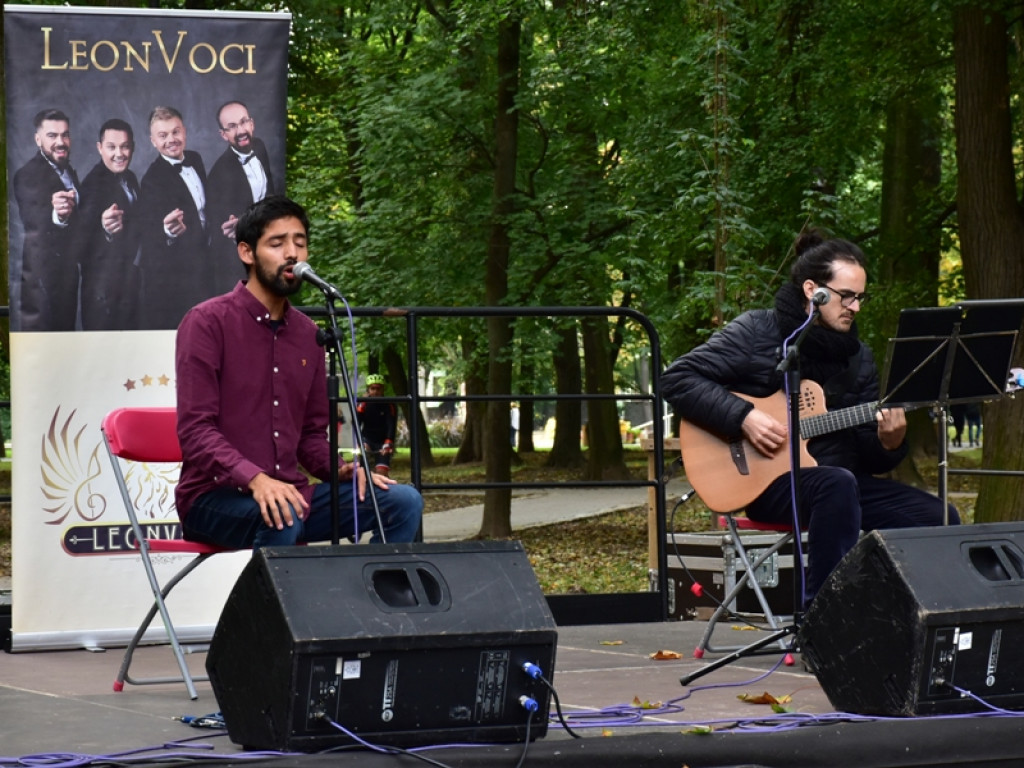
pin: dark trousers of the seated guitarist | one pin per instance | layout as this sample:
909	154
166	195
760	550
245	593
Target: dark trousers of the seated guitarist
838	505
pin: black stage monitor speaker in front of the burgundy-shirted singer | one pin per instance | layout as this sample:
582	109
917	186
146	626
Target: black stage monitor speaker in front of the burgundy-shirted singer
401	645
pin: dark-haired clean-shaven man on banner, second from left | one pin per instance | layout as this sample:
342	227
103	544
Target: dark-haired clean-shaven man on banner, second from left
111	234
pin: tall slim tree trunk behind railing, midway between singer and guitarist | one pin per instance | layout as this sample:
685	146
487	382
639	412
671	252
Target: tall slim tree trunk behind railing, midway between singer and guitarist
497	522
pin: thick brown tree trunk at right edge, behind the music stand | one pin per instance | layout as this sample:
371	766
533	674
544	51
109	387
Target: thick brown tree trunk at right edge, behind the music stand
992	226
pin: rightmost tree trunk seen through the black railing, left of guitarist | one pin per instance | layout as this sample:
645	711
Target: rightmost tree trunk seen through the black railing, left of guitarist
605	455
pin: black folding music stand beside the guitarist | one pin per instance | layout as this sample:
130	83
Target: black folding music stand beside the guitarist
950	356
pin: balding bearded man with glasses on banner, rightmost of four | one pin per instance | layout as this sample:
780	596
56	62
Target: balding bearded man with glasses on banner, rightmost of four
240	178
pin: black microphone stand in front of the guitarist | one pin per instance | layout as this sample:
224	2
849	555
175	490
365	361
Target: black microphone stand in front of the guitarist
790	367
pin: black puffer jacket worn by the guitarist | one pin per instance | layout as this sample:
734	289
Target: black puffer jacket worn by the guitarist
743	358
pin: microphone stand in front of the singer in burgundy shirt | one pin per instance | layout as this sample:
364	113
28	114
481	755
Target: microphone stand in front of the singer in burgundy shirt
330	338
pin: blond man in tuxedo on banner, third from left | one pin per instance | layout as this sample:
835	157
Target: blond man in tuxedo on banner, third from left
177	230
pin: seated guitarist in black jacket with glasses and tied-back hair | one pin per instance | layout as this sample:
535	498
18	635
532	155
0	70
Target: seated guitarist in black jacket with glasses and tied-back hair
841	496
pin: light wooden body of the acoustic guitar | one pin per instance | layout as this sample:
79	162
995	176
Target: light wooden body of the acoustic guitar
727	476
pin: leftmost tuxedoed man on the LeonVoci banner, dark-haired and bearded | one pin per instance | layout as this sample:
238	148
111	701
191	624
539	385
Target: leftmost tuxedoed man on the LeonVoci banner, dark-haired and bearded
48	192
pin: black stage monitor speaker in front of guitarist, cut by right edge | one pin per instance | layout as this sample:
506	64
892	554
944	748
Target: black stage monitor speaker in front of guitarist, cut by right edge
914	621
